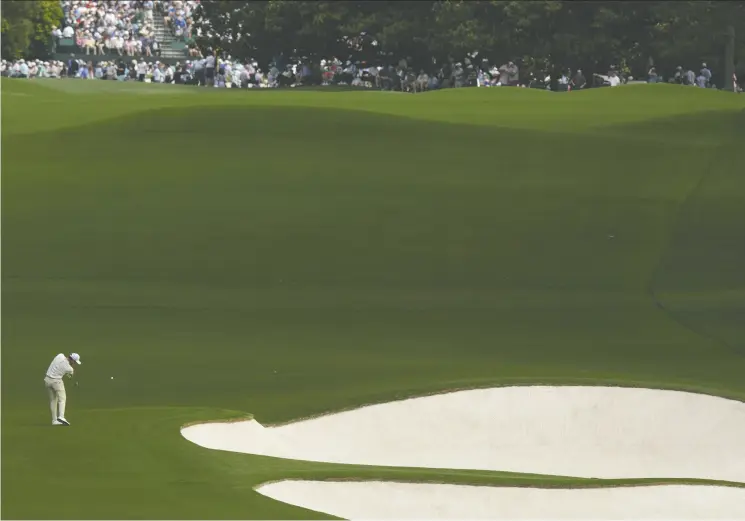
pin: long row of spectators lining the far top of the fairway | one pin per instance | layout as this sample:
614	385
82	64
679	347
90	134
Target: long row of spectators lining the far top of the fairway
226	72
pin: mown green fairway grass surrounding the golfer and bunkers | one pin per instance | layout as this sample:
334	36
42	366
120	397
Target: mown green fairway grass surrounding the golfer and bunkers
366	246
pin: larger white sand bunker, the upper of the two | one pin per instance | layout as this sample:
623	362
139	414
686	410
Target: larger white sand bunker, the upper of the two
596	432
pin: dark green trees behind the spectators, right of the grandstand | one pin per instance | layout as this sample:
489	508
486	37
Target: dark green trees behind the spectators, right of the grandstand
539	34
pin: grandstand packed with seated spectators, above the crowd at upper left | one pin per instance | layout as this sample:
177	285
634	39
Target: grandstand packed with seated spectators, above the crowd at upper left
146	29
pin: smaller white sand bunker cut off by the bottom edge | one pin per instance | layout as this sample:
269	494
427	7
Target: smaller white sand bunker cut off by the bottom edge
375	500
